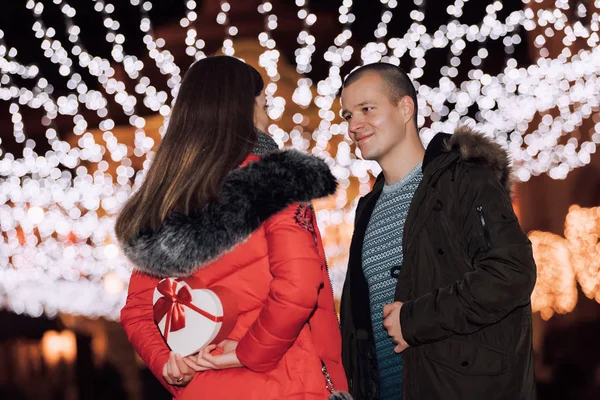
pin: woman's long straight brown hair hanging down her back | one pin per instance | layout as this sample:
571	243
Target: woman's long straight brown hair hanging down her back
210	132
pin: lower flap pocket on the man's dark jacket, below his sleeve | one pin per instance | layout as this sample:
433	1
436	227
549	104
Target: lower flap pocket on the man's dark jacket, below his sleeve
467	358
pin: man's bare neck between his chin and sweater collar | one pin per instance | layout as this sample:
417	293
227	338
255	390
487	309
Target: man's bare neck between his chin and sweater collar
403	159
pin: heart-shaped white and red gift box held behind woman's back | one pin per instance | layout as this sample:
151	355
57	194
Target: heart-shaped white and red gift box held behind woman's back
190	317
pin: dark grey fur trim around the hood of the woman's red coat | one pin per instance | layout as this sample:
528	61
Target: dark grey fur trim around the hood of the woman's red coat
250	195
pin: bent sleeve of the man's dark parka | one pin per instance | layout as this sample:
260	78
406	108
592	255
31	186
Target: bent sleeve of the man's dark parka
503	274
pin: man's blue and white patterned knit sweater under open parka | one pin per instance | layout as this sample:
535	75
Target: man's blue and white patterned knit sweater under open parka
382	251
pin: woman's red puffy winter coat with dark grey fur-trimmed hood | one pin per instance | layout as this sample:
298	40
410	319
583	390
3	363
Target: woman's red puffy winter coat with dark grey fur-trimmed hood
261	241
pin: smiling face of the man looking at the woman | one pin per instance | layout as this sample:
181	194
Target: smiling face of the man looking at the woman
376	125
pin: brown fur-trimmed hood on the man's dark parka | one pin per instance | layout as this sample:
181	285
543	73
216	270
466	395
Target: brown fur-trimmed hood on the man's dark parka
473	148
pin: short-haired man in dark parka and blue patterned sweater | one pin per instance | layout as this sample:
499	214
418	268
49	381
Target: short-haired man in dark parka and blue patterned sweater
438	239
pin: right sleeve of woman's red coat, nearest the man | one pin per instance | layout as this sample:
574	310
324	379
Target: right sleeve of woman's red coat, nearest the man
296	267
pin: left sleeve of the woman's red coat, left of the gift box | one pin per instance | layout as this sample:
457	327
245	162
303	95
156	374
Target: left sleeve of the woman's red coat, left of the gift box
138	322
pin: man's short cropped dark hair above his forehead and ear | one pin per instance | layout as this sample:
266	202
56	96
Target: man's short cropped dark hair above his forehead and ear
395	79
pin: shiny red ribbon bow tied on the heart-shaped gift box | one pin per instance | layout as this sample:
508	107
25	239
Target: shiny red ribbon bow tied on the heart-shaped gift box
171	304
